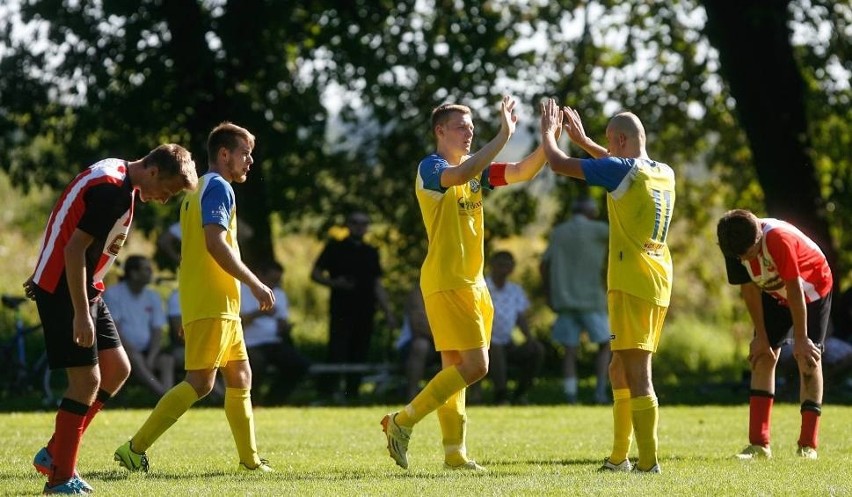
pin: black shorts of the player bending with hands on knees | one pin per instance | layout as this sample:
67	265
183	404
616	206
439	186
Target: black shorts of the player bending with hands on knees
779	321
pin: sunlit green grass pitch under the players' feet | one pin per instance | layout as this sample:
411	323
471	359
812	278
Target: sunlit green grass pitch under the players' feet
551	450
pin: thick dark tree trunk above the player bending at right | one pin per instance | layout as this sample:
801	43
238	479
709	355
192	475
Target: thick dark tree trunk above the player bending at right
757	61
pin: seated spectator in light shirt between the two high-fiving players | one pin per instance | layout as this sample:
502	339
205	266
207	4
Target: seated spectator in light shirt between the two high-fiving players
510	311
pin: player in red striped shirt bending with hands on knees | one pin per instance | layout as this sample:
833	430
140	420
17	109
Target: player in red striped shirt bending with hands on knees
785	282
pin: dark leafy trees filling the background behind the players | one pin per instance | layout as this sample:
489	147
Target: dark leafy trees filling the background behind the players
749	104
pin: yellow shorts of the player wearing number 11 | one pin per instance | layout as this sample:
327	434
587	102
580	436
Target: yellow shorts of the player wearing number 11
635	323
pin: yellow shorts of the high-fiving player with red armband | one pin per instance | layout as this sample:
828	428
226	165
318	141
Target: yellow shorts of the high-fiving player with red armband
461	318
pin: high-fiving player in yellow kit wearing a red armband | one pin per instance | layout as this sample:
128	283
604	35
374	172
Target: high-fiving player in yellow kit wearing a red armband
449	188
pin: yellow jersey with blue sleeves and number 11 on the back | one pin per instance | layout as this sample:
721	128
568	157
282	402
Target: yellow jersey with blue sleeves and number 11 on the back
640	202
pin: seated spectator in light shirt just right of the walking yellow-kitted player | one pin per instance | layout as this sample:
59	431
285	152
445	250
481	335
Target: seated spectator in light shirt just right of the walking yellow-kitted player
268	340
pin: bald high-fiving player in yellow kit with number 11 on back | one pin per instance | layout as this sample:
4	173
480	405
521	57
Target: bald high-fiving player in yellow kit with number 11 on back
640	199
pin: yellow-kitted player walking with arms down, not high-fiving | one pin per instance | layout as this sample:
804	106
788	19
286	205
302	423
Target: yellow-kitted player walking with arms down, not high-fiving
209	280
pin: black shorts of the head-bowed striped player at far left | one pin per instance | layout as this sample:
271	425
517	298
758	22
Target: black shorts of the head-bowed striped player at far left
57	319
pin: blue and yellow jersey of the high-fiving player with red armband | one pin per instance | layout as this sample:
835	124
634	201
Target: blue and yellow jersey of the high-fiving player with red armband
454	227
